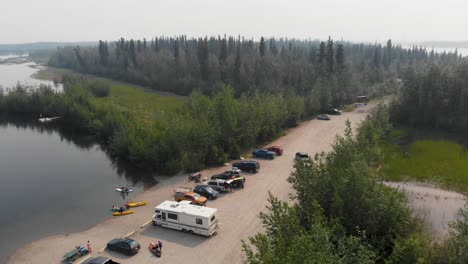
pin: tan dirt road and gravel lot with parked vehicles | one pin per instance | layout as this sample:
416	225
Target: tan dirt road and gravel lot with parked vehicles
238	211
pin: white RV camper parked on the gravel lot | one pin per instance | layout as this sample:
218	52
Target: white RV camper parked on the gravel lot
186	217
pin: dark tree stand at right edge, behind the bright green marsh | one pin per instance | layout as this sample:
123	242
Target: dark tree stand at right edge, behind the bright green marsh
435	95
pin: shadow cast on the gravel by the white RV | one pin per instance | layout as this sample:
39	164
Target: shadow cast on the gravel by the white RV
175	236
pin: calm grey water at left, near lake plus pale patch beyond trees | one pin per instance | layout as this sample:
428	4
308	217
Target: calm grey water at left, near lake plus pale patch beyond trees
53	180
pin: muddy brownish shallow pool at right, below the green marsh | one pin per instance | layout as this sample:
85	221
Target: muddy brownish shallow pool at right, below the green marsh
435	206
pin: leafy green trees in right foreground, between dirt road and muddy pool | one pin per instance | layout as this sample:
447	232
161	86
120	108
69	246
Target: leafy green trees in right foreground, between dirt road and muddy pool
323	225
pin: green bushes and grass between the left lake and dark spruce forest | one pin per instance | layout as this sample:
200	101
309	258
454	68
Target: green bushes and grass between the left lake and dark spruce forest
164	133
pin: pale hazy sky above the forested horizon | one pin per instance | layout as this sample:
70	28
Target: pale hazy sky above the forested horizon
368	20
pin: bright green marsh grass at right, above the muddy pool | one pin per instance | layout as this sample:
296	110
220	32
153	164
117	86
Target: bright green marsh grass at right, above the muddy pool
441	162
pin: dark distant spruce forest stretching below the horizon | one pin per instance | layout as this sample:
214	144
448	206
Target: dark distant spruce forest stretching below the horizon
326	73
